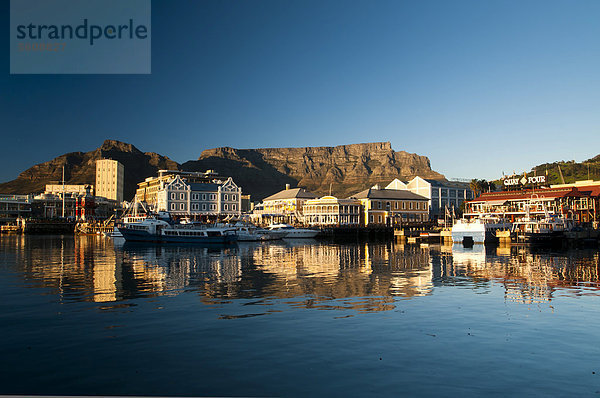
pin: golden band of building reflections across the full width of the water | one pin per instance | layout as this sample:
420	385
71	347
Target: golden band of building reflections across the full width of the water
363	277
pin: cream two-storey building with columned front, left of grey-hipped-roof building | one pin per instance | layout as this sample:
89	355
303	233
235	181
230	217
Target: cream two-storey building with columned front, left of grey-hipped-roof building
331	211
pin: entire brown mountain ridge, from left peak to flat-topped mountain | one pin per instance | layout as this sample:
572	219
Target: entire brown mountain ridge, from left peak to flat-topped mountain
341	170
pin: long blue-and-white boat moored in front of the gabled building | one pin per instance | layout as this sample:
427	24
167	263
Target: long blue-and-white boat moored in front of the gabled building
153	230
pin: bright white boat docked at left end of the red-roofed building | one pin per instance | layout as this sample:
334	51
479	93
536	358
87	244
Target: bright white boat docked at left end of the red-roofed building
479	230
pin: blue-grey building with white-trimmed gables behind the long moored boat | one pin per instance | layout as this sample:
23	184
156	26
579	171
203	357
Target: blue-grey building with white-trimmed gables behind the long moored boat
181	198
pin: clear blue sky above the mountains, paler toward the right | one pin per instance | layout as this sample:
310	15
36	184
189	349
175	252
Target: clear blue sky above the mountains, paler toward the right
479	87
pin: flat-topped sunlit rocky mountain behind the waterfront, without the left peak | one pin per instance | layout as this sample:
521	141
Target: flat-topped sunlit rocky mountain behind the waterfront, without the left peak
343	170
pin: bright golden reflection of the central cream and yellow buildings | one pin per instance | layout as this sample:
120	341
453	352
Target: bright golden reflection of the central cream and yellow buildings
341	271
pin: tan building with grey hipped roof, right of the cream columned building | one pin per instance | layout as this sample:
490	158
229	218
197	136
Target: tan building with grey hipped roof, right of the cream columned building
382	206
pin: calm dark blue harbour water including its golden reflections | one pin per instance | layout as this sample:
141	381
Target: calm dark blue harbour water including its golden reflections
86	316
